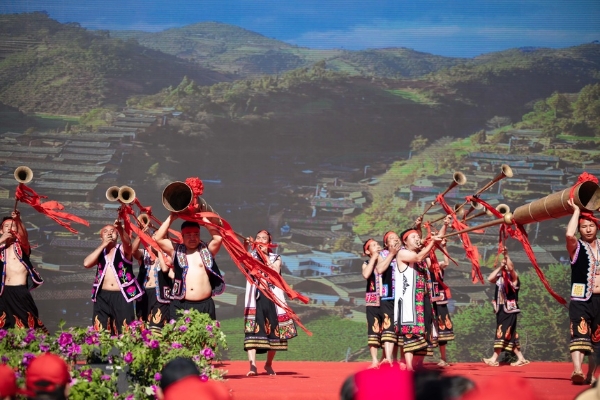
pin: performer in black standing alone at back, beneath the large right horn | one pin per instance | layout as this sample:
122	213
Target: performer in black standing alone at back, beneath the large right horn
506	307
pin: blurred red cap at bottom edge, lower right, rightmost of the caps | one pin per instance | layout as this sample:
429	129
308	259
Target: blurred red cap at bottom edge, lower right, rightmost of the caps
500	387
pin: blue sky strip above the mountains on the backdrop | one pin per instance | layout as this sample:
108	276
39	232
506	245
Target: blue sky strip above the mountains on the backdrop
458	28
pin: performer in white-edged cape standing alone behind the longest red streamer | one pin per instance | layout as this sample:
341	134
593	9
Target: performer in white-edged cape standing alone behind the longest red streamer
267	327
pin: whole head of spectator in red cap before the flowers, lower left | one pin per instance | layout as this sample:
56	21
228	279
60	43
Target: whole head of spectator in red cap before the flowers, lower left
47	378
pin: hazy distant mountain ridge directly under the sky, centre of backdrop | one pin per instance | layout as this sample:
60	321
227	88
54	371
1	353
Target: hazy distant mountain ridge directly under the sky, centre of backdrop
231	49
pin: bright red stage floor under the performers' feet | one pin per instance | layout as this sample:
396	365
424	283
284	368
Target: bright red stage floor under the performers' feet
322	380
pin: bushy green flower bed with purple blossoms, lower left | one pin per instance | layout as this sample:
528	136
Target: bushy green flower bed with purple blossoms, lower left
138	353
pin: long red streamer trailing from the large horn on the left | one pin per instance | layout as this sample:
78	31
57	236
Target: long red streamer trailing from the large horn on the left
254	270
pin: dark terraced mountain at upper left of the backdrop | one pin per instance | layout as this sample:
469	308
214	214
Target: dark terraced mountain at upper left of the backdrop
46	66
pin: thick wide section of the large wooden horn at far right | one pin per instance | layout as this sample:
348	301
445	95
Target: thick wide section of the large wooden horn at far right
586	196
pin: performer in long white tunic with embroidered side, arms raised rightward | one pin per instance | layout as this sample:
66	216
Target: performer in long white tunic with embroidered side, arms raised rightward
413	312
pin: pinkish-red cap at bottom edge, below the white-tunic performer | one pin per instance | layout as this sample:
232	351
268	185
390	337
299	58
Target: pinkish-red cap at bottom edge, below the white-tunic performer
375	384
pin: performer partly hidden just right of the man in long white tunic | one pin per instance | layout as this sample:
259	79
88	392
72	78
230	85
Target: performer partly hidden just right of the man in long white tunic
440	305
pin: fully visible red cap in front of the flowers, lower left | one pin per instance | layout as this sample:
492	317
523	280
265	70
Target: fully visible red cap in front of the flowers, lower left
47	367
